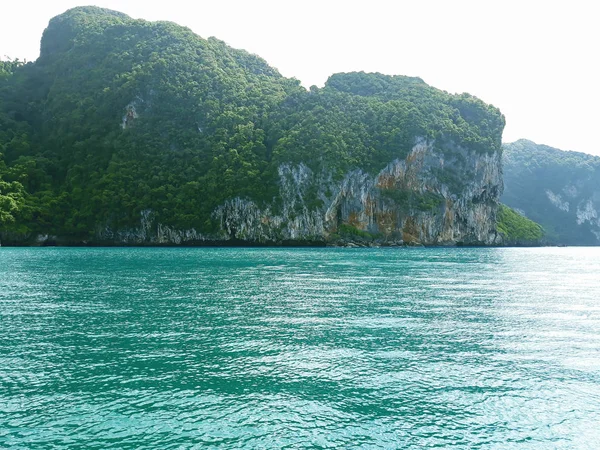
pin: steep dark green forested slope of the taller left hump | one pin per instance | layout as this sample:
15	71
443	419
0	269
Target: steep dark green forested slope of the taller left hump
128	113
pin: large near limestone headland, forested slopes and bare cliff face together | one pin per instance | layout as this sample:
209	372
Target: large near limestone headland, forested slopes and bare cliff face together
133	132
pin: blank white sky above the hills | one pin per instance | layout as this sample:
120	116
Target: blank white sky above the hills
538	61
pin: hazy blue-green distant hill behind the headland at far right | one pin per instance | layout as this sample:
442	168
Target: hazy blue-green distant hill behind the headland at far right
558	189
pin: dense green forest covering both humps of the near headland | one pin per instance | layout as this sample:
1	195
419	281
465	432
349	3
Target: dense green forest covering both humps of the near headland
119	115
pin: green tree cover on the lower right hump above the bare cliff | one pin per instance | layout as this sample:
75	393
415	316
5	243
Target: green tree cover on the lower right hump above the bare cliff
367	120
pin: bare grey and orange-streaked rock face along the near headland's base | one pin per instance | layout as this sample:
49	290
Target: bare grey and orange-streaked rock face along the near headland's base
411	201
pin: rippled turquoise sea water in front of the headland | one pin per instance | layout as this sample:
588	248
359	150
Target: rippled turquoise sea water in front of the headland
300	348
